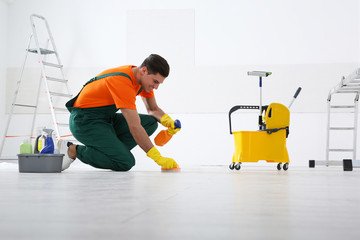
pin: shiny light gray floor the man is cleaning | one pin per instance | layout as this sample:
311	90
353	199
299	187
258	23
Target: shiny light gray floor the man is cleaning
209	202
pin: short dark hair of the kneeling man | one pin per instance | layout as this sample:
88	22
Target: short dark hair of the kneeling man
156	64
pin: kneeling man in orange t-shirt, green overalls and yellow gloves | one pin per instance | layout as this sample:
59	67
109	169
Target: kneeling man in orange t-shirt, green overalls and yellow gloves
108	136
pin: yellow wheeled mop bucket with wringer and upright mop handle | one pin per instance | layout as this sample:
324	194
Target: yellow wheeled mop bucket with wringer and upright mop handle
269	142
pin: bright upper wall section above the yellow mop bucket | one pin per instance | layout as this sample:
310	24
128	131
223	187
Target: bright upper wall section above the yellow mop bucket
277	32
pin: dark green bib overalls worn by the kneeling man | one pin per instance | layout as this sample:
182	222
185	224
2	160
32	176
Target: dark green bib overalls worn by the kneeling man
105	134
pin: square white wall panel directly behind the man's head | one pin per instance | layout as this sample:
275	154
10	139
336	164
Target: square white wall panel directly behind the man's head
168	32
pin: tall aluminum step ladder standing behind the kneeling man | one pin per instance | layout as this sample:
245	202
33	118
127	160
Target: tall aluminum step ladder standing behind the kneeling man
43	53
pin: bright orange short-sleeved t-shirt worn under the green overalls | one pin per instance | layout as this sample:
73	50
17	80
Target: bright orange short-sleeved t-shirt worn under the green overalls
118	90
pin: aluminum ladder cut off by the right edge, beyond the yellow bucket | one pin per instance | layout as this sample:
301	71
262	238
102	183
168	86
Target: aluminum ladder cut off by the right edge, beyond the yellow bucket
348	85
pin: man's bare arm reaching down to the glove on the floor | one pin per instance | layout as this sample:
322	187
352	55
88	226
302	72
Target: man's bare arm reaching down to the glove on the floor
136	129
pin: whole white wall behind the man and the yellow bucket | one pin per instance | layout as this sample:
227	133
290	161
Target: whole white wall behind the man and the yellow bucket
210	46
